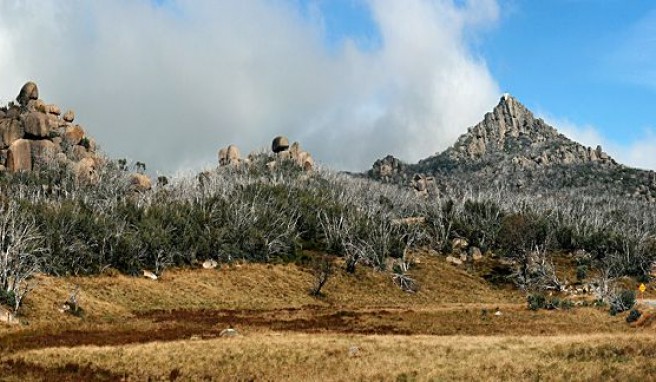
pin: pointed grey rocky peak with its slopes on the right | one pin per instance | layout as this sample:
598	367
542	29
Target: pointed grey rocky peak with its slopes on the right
512	148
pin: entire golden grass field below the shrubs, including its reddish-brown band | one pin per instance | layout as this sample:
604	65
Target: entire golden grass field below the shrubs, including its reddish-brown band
363	328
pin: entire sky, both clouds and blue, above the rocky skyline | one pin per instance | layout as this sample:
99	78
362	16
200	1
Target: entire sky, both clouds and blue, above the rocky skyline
170	82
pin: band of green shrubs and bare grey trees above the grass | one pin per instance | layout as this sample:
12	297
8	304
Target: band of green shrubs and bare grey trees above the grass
265	213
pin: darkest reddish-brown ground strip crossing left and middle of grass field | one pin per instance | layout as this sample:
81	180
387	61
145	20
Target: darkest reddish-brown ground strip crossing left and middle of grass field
202	324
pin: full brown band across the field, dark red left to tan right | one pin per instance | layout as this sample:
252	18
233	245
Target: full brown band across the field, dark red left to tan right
182	324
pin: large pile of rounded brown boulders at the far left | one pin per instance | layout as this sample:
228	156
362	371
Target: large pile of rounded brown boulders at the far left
32	135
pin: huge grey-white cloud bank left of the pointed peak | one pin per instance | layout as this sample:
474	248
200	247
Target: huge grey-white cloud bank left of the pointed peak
169	83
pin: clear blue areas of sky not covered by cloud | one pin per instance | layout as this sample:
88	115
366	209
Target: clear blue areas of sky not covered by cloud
590	62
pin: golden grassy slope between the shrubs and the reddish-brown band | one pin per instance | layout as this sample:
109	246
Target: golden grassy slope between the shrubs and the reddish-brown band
257	287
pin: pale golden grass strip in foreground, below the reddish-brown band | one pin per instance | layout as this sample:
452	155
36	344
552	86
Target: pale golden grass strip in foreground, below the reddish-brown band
304	357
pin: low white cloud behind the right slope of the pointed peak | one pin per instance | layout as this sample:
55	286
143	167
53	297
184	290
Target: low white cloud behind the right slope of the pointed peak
638	153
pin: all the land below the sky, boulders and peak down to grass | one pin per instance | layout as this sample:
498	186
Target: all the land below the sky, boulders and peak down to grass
267	267
